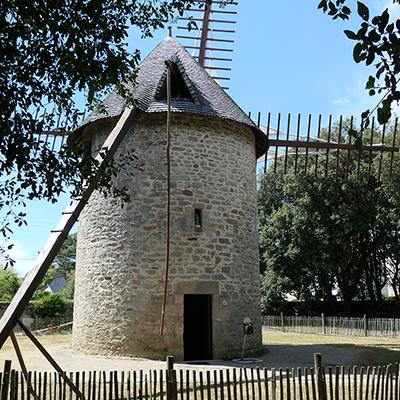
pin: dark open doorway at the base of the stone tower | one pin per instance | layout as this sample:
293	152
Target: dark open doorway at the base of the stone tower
197	327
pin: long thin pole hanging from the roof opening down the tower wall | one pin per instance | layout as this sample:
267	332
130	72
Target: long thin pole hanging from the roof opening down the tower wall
168	211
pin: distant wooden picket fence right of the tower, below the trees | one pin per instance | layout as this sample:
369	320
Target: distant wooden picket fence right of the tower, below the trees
343	326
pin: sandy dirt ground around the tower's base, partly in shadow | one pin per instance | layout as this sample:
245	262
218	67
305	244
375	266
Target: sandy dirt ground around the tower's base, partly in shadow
280	350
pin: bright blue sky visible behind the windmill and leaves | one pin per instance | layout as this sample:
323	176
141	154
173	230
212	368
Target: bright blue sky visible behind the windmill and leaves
288	57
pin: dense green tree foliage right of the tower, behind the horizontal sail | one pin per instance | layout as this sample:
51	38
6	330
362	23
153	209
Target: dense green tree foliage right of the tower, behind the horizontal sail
322	234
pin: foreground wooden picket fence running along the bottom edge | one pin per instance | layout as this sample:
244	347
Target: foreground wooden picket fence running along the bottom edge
318	383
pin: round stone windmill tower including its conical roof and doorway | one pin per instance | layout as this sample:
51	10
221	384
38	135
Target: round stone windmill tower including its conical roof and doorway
214	271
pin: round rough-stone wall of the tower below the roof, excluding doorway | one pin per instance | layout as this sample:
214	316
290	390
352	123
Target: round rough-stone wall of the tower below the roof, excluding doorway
121	251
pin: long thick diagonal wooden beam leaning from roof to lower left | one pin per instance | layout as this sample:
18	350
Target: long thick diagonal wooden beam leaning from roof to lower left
60	233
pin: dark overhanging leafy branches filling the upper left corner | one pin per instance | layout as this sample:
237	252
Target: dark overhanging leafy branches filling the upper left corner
52	53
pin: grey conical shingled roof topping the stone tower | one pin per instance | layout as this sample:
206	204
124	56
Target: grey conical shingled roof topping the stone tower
206	96
